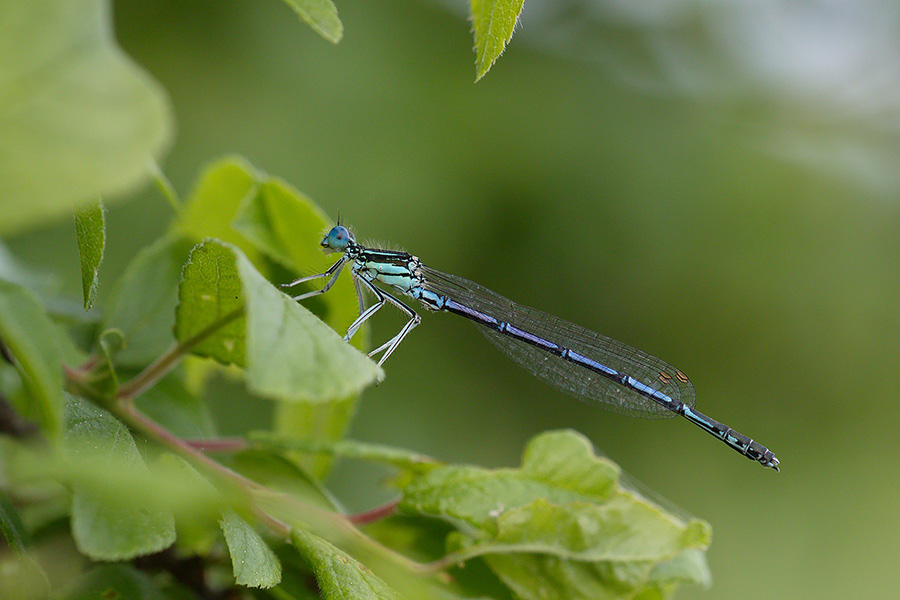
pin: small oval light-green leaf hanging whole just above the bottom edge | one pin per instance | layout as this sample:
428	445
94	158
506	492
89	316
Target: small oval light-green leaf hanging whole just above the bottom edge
253	562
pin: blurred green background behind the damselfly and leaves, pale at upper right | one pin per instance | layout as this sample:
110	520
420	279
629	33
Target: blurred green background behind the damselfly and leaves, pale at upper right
714	183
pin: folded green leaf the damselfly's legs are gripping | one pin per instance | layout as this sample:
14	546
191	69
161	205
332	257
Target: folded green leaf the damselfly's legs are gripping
289	354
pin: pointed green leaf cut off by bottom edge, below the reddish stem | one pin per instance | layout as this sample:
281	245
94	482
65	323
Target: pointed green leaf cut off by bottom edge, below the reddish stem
339	575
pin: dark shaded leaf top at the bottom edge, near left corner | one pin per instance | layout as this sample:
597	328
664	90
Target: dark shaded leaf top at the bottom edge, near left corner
110	582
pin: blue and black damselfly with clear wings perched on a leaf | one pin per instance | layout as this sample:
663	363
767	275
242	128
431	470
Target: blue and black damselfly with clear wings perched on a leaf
581	362
